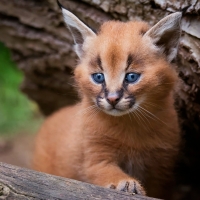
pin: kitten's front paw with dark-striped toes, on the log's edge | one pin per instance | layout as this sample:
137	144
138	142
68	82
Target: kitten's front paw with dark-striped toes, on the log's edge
131	186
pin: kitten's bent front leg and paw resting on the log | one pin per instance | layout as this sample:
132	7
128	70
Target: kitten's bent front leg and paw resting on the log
111	176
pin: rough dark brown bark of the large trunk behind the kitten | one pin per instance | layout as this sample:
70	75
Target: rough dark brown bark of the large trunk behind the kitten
42	47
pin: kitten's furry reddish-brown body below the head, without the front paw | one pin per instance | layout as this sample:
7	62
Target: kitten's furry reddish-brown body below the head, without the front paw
68	142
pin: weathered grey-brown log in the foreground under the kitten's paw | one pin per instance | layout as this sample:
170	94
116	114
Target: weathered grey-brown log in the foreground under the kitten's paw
22	184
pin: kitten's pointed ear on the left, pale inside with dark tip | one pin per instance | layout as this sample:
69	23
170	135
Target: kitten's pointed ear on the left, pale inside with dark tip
78	29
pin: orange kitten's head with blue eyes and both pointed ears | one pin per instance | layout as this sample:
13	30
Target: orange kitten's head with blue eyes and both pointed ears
125	65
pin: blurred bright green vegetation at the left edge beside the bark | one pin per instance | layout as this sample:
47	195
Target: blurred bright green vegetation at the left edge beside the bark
16	111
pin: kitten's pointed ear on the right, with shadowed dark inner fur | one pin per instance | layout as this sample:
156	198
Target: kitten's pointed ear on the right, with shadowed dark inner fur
166	33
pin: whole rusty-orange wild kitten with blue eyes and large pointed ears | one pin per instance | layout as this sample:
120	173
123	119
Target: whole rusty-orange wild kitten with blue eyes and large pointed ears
124	133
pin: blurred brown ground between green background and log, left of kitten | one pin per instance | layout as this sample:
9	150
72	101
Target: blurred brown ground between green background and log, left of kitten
18	150
